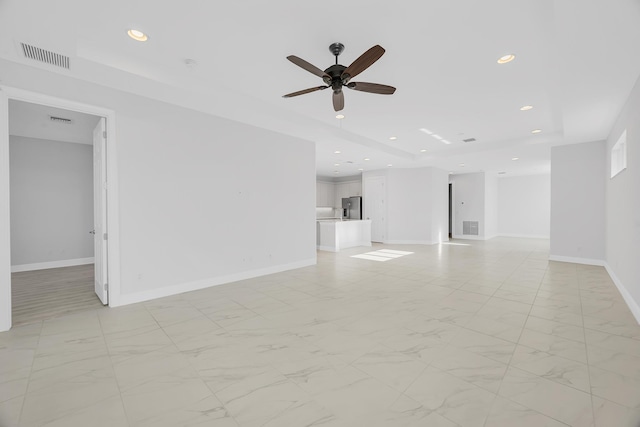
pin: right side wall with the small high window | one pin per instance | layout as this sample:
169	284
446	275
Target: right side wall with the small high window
623	206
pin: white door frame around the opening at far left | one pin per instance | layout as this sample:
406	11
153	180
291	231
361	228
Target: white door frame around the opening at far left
113	252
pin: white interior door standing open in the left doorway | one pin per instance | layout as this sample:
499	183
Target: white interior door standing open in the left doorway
100	211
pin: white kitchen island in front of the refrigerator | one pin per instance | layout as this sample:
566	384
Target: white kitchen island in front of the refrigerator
333	235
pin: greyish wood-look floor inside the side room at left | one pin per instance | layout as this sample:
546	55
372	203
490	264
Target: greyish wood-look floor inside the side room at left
47	294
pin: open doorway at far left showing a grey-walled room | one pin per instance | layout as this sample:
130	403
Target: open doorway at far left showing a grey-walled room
54	159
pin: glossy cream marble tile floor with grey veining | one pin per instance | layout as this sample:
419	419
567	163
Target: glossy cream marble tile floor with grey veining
474	334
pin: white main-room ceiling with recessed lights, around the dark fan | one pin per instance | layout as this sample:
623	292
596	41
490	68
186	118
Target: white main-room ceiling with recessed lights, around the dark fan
576	64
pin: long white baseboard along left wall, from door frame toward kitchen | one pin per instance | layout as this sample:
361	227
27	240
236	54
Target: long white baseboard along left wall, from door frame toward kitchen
126	299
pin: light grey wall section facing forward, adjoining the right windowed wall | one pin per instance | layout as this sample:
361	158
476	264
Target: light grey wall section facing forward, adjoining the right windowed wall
577	203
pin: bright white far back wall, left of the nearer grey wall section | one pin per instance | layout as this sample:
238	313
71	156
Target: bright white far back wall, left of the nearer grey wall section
524	206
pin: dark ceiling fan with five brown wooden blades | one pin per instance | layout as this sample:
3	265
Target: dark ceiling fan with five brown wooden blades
338	76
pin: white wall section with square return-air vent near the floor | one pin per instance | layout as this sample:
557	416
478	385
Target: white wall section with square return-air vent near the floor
468	203
